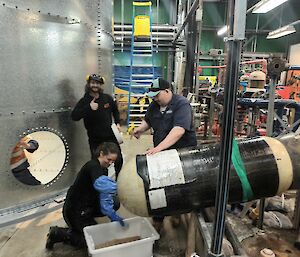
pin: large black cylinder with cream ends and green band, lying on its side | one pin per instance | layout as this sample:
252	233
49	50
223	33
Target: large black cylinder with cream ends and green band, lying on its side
178	181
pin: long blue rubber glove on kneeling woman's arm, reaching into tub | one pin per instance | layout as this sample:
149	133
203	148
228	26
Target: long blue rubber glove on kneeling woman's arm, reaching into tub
107	188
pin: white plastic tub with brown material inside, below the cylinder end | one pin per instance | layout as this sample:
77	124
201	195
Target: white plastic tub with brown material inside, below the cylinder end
137	226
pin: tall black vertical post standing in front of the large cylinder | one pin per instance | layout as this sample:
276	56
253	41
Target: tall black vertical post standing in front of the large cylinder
230	91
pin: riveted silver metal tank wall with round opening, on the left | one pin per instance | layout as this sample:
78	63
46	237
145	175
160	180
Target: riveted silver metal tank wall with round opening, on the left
47	47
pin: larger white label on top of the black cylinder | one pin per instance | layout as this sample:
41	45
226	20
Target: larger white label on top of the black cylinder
165	169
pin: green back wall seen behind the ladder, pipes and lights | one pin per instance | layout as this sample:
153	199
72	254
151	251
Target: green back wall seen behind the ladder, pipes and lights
214	17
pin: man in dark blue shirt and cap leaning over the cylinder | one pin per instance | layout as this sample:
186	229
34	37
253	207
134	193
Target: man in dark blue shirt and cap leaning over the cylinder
170	117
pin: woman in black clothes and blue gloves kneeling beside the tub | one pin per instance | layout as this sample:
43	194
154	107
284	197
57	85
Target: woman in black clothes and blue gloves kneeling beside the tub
92	195
